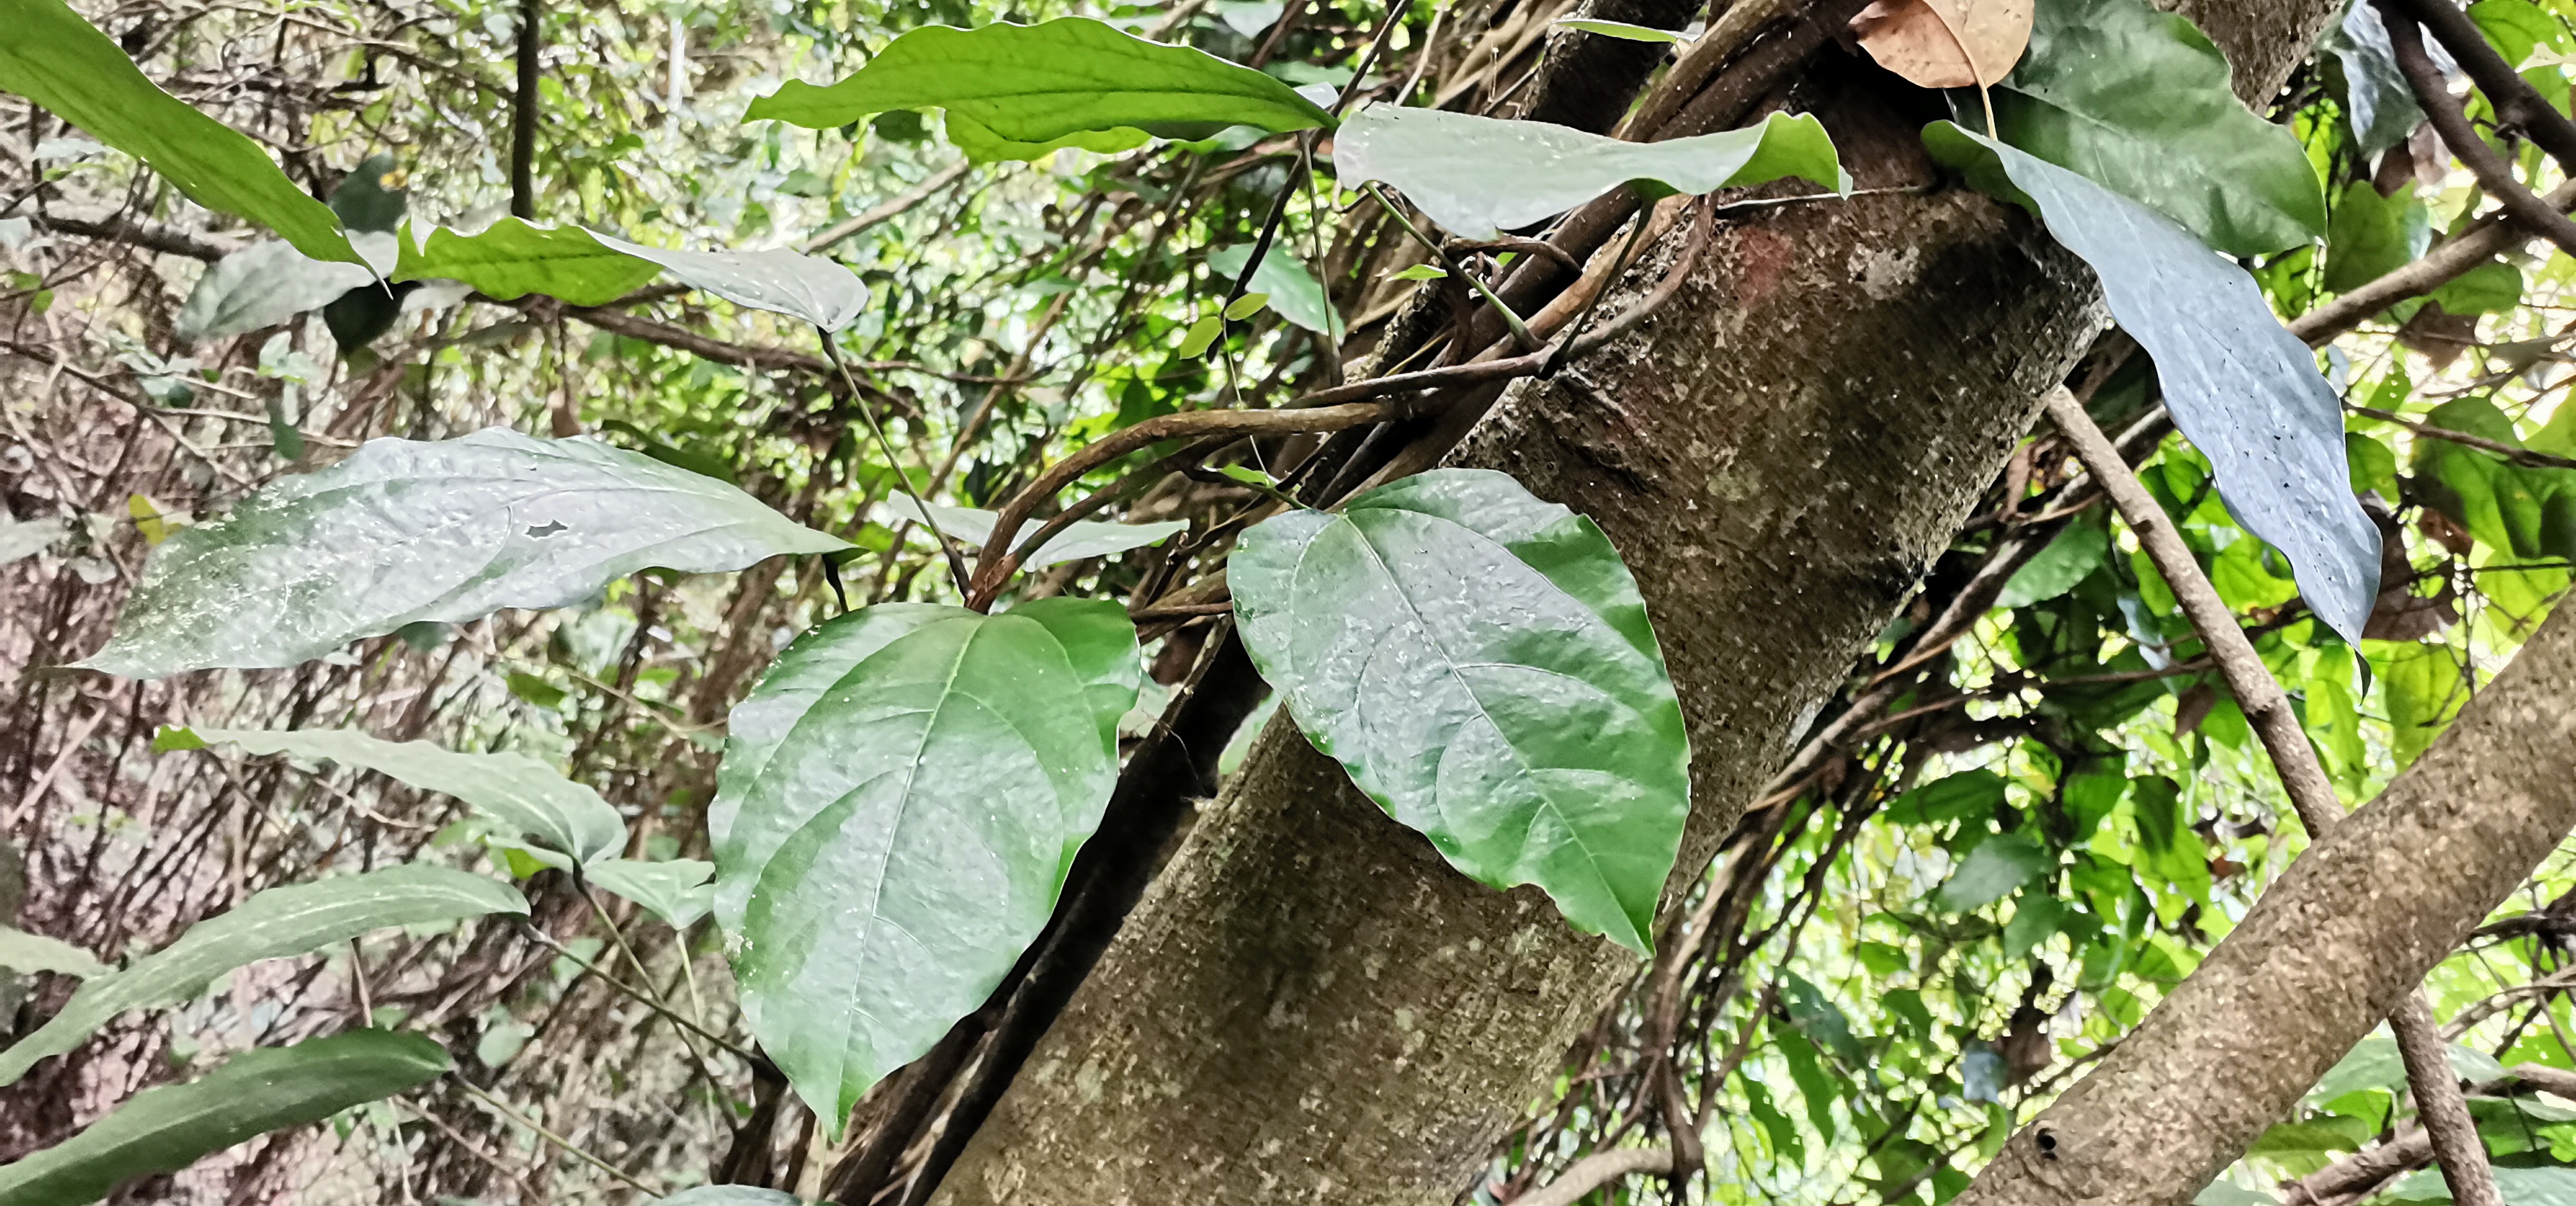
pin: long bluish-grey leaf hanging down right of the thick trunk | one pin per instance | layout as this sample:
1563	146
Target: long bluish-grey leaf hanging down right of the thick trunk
2242	388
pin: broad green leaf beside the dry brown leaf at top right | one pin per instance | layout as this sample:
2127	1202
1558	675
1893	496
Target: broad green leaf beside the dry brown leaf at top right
2139	102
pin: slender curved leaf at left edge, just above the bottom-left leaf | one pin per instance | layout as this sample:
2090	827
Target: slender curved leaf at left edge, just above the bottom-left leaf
277	924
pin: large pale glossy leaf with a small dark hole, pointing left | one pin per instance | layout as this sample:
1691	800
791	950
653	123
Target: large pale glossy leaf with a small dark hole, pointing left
442	532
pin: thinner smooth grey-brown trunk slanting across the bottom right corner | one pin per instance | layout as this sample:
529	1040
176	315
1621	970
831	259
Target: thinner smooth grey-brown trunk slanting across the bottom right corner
2327	952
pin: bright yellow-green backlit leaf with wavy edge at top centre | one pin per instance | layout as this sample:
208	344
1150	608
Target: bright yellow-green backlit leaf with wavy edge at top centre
1029	86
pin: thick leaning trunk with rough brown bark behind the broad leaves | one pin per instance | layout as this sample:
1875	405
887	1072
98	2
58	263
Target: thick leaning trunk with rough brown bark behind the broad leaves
1310	1004
